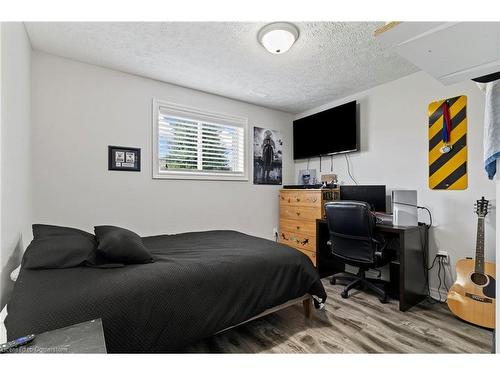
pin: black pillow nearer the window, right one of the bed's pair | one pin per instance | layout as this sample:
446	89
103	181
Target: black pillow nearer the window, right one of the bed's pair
121	245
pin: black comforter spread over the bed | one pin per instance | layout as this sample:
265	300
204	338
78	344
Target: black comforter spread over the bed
199	284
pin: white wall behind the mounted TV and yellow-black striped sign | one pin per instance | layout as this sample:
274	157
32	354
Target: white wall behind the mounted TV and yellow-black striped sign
394	144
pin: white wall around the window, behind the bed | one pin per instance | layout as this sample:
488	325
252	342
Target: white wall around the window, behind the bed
80	109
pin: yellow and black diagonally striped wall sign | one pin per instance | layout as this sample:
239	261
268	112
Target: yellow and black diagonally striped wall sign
448	170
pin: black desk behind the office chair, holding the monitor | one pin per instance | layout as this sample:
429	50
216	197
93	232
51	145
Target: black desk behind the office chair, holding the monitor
407	272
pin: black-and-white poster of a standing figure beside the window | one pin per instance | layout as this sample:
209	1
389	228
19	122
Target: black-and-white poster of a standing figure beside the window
267	156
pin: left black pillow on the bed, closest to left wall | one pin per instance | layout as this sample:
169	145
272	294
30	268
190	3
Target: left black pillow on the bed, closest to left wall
61	251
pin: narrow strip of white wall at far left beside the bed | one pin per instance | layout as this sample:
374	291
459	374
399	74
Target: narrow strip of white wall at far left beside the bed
16	207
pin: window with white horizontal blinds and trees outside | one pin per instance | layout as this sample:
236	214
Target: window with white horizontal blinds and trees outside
199	145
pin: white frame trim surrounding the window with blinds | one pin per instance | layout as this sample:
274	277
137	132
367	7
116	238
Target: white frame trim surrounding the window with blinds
197	174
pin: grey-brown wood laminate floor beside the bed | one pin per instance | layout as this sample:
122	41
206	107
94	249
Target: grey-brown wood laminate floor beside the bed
359	324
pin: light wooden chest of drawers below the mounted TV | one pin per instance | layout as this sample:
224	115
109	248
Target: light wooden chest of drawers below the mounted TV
299	209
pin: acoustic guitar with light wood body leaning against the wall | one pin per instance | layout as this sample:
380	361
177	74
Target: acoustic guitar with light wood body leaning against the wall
472	297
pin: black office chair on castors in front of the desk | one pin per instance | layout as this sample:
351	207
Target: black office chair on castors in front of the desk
352	238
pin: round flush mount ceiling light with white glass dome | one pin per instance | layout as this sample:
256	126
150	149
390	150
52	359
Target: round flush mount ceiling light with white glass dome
278	37
